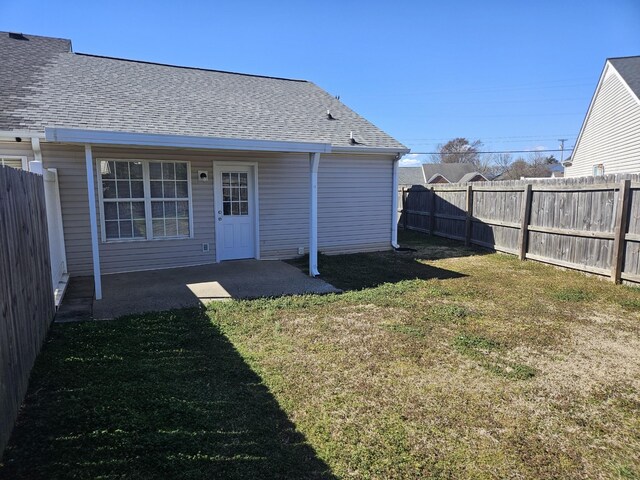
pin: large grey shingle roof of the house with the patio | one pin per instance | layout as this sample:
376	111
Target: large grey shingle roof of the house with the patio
44	84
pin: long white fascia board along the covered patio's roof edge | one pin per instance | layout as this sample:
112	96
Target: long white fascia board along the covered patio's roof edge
103	137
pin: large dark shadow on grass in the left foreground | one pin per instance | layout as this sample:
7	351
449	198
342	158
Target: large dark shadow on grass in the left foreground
154	396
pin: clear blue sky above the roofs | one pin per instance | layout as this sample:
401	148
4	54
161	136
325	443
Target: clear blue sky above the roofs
514	74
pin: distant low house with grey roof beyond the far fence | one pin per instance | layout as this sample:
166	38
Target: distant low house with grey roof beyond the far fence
430	173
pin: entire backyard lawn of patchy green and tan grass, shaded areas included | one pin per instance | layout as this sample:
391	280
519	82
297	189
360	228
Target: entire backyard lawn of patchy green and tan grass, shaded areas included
440	363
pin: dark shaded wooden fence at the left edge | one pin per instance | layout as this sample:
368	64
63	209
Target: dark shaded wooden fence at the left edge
26	296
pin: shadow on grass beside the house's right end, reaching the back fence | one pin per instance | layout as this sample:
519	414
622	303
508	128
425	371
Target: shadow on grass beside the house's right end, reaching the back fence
367	270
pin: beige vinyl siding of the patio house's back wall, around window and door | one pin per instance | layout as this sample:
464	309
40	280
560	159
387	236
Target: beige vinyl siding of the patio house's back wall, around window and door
354	195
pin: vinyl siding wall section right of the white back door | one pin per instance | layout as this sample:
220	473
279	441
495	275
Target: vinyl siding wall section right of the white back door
354	204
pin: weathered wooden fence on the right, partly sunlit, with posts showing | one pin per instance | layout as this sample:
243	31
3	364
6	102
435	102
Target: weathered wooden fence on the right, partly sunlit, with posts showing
590	224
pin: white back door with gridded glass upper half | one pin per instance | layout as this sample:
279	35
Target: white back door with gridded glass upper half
234	211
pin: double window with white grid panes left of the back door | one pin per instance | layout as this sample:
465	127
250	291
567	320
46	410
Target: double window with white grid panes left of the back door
145	200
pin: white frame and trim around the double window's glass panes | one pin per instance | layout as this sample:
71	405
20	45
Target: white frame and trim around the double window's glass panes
147	201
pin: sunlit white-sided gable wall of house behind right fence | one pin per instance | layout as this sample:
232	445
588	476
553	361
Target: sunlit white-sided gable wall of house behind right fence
611	133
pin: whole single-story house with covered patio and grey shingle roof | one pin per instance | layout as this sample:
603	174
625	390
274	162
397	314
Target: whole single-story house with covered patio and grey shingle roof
162	166
